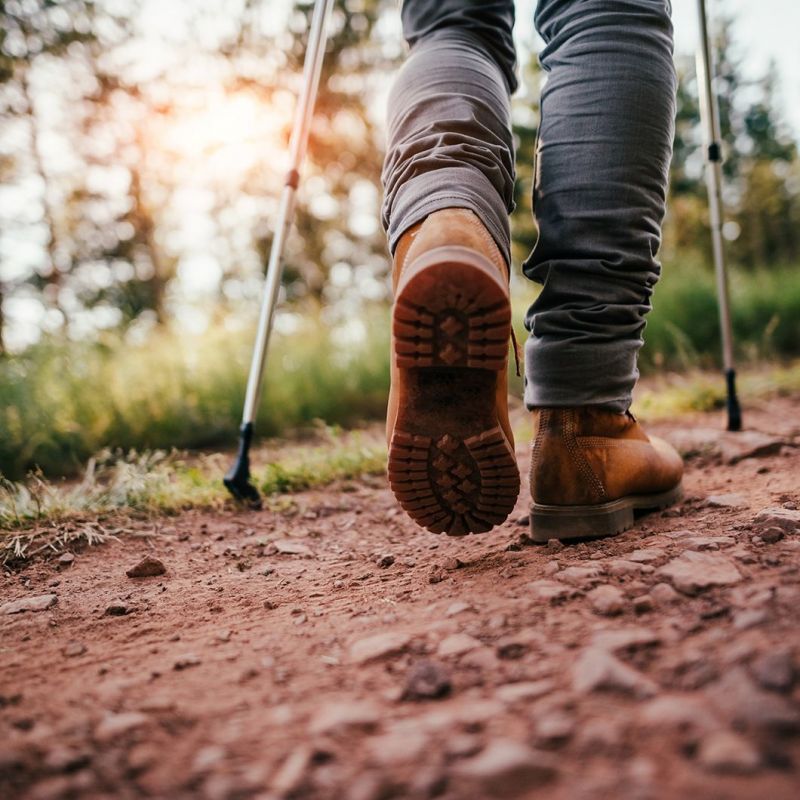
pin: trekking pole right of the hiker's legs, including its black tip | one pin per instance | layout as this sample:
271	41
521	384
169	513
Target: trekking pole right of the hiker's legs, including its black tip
709	112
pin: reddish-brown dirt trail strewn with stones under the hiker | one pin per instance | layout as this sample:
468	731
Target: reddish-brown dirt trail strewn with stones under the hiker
340	652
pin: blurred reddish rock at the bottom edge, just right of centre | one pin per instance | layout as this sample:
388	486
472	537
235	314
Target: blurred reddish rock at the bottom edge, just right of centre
507	768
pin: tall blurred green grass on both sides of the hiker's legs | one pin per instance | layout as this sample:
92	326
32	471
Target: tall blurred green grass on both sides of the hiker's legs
60	403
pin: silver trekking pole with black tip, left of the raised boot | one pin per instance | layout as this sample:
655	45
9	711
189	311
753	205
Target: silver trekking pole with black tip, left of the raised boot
237	479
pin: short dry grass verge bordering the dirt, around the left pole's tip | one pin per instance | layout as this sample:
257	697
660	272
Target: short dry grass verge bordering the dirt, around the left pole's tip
42	515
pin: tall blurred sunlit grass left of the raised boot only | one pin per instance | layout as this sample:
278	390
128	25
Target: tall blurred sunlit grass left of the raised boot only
62	403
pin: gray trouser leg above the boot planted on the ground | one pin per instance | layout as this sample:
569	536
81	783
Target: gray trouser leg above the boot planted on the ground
605	143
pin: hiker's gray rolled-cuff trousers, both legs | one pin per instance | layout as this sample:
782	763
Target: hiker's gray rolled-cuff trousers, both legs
602	161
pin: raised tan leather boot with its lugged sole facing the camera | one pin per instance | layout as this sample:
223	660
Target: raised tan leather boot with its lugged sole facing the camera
451	453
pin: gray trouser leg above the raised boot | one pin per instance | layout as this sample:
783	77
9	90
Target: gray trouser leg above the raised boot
449	120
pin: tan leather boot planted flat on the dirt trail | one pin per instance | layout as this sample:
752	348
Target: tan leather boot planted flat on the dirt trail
591	469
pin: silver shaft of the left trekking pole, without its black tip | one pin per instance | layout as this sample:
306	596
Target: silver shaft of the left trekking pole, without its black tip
304	112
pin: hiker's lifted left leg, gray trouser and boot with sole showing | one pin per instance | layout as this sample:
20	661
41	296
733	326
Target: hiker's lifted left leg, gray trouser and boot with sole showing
448	180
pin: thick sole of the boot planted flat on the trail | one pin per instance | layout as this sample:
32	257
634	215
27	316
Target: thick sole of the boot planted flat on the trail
597	521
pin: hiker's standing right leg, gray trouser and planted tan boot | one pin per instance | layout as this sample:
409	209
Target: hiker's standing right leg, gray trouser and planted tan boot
605	143
